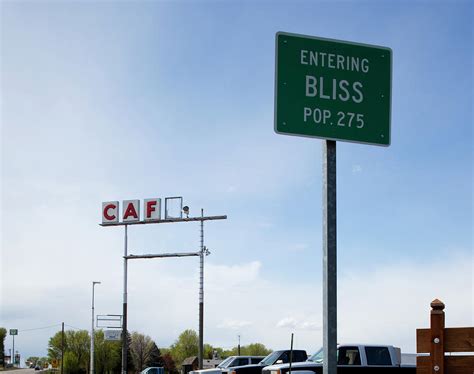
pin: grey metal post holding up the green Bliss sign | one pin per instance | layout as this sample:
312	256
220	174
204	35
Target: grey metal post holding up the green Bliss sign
329	258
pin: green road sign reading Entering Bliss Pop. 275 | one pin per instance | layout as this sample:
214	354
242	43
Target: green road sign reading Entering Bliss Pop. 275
332	89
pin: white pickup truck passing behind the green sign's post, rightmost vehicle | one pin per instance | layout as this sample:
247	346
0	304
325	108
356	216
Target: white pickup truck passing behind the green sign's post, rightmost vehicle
353	359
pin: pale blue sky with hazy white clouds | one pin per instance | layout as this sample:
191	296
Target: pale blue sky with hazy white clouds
119	100
